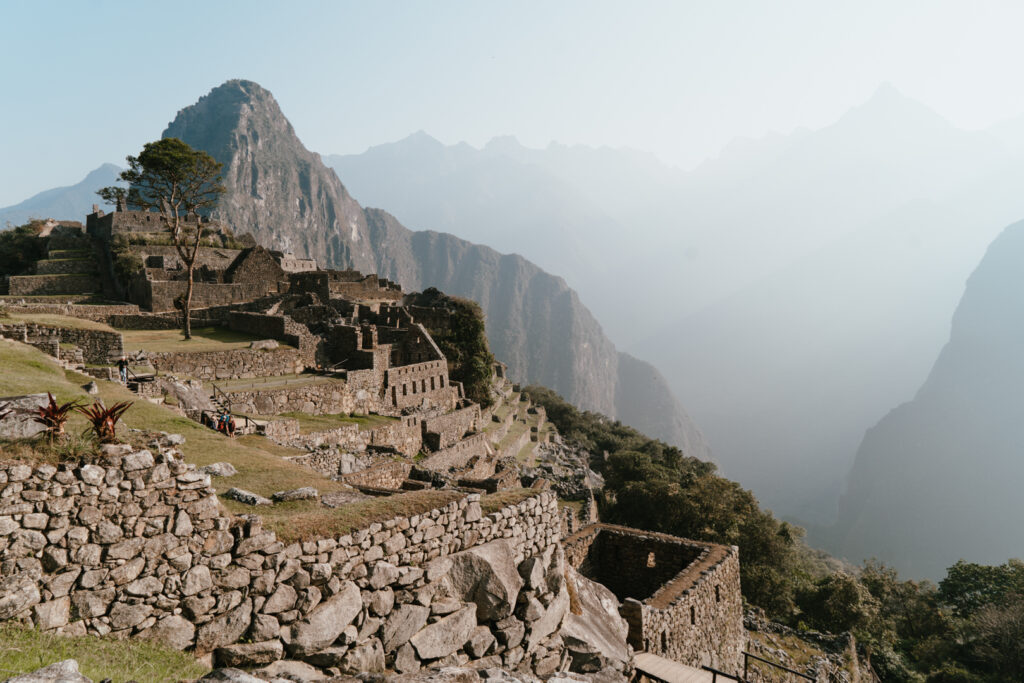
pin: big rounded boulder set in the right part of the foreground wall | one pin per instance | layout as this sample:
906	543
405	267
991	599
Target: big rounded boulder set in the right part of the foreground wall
487	576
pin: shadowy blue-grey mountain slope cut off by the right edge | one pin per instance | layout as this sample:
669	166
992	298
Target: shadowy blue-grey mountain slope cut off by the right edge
940	478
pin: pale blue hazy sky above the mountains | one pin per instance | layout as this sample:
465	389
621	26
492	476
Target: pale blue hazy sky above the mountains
91	82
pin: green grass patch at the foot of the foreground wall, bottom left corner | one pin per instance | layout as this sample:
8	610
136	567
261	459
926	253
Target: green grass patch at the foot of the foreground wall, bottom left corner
26	651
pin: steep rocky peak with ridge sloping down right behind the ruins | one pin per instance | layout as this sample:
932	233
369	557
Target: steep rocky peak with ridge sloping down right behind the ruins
285	196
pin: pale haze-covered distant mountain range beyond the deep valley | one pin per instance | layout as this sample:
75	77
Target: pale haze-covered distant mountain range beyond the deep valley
791	290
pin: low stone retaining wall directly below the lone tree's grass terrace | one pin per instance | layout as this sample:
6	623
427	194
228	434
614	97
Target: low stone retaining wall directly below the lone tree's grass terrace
234	364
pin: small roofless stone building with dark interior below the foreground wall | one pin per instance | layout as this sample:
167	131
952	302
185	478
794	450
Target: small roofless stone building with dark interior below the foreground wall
681	599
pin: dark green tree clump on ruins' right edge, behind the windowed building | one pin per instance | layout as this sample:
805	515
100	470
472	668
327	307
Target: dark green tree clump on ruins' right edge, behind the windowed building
464	345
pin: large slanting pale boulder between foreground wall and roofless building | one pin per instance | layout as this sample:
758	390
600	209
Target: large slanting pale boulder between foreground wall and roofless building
596	637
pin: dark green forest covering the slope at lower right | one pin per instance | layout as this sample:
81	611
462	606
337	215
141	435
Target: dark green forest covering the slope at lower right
968	628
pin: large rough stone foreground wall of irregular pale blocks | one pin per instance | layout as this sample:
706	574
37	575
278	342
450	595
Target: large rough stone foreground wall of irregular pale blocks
139	547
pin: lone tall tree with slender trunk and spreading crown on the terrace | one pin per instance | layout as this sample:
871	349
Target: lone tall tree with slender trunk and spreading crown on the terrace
181	184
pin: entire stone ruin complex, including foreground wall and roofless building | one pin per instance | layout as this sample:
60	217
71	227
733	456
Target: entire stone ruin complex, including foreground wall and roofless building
138	545
